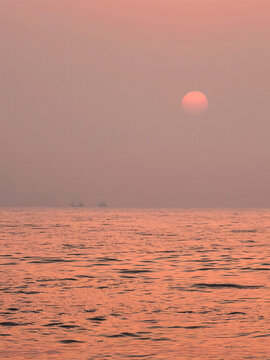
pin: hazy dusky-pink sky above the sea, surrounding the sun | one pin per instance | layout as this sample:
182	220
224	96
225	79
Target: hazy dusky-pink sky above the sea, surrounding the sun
90	102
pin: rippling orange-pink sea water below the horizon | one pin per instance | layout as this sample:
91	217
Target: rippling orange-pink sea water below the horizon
134	284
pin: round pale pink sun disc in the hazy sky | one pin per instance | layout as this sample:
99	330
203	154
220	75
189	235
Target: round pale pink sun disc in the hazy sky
195	103
